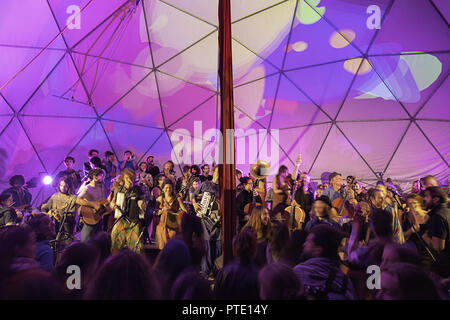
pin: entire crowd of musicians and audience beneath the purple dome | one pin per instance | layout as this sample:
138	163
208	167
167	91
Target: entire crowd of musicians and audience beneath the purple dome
294	240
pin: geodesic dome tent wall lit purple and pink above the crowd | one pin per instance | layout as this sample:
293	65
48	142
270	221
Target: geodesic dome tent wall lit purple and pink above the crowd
355	86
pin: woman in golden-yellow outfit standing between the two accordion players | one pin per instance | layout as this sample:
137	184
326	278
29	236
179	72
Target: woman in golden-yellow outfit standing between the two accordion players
168	207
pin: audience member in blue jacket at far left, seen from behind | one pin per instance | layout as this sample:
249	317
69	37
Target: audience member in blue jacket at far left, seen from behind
44	230
